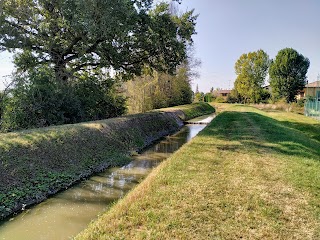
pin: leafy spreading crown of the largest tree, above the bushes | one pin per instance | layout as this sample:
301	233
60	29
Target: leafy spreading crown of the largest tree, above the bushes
73	36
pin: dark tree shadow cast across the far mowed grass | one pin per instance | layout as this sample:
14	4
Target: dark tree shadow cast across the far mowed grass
257	133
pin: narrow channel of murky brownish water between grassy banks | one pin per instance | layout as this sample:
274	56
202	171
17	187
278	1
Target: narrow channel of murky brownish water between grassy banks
67	213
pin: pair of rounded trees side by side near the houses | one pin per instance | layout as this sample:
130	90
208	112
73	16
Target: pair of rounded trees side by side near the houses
287	76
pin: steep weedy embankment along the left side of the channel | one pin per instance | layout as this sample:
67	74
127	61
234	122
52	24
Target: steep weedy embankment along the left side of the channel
37	163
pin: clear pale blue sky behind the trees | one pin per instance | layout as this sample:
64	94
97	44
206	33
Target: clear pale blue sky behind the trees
228	28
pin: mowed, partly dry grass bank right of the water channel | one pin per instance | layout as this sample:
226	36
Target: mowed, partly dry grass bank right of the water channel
250	174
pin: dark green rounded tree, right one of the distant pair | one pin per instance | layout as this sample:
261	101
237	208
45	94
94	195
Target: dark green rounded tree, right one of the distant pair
288	74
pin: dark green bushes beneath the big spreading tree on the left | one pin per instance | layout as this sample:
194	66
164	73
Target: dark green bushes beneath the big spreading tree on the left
37	100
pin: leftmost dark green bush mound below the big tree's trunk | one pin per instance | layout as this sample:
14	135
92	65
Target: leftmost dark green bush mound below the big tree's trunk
38	101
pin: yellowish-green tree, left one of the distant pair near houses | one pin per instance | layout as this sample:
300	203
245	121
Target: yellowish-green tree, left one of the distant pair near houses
251	69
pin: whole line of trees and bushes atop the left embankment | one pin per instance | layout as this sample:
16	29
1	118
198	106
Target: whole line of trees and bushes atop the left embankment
73	57
